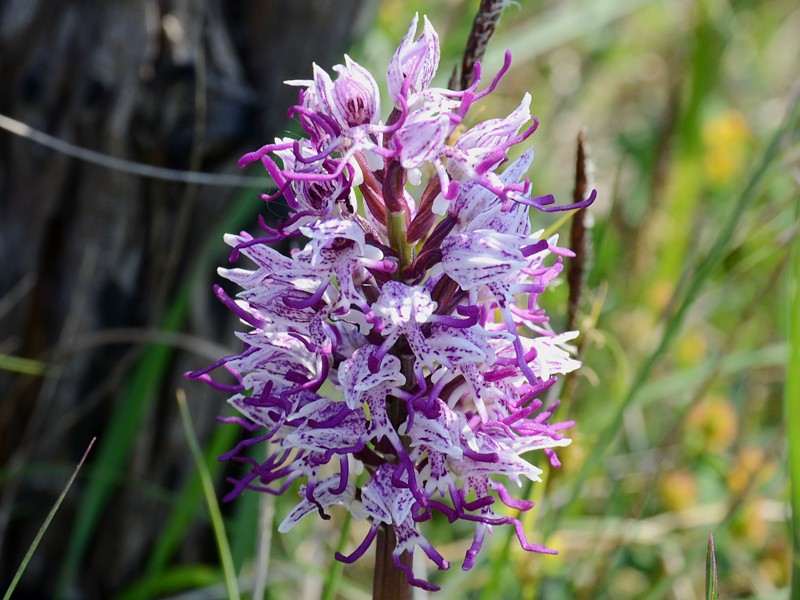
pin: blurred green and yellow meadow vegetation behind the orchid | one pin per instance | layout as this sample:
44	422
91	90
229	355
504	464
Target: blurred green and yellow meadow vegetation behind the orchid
679	410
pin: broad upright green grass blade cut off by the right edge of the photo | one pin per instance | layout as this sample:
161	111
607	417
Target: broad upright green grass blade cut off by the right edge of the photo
792	407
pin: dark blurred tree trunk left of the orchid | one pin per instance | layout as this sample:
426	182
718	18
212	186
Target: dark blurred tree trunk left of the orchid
185	84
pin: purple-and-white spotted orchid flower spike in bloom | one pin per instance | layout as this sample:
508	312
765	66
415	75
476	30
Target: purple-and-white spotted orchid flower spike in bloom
403	346
